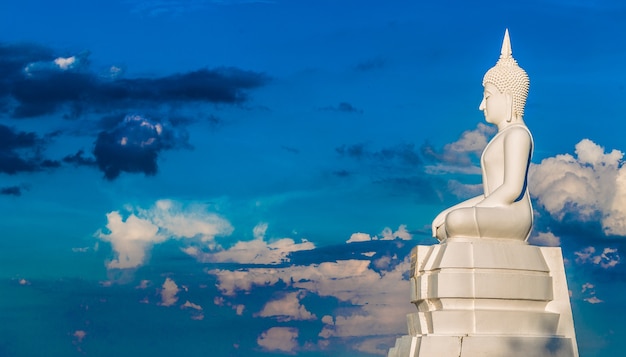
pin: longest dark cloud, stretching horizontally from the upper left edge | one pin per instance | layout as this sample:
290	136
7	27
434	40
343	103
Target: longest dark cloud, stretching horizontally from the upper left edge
34	82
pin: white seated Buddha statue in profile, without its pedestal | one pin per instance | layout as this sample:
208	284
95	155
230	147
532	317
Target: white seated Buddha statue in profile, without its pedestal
504	211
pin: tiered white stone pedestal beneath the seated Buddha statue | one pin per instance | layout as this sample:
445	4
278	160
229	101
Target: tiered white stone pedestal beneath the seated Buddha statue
488	298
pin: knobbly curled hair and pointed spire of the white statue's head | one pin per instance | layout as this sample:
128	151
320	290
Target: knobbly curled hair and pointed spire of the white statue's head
509	78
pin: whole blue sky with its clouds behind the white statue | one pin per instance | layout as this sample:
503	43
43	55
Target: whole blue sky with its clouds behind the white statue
248	177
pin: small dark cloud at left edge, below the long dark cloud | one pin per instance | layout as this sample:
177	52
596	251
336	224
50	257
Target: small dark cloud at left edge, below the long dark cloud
20	152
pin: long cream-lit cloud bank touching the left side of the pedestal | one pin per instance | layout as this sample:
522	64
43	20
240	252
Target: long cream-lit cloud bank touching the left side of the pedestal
380	298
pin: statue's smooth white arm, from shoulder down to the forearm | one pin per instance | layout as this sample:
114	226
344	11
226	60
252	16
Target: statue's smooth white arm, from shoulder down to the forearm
517	149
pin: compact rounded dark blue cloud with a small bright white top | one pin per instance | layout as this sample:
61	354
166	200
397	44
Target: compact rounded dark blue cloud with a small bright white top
132	146
